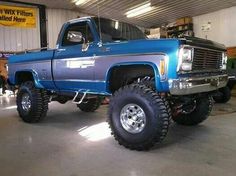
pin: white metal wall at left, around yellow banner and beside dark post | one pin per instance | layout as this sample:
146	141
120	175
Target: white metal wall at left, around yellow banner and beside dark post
19	39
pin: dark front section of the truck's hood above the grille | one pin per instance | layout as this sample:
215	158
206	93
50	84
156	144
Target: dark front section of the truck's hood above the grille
199	42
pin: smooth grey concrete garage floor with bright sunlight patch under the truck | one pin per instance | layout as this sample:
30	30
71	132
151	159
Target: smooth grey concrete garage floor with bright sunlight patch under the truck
72	143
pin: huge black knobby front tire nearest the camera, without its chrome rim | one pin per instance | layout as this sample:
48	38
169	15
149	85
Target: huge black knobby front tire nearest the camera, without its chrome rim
157	117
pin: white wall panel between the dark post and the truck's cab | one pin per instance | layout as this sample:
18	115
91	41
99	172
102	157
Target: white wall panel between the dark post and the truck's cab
56	18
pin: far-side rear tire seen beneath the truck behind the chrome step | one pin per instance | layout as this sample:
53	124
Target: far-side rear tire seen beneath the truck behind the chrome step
90	105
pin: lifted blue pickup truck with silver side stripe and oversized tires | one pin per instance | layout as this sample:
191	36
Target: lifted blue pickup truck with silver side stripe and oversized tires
149	82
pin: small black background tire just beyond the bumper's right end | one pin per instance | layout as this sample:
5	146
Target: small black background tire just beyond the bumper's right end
224	95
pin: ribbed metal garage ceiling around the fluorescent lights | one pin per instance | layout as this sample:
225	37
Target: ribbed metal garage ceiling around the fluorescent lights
164	11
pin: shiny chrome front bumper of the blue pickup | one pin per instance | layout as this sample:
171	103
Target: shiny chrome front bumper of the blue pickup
187	86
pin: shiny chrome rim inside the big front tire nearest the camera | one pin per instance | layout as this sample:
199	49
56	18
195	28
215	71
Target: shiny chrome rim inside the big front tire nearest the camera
133	118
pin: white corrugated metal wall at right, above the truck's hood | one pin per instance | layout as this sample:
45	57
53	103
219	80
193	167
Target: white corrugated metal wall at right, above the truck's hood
223	26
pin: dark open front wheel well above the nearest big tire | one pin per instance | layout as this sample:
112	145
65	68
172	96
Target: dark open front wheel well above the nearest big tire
124	75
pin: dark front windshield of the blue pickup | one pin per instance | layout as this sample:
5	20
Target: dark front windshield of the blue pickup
112	30
